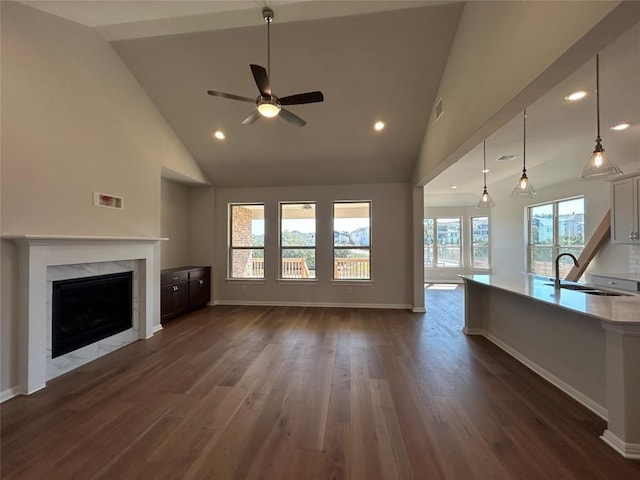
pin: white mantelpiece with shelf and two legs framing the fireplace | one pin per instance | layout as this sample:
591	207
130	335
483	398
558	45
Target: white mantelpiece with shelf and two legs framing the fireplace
38	253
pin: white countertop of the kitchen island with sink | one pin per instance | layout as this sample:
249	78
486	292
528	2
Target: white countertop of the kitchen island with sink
619	310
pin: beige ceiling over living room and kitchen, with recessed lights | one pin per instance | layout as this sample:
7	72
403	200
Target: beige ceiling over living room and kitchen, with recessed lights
373	60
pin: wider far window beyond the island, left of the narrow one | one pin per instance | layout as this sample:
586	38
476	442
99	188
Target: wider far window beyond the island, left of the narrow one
442	243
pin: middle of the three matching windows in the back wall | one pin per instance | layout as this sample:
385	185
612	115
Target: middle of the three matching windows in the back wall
298	240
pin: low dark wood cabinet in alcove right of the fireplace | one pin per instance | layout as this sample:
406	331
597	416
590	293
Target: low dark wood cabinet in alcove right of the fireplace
183	289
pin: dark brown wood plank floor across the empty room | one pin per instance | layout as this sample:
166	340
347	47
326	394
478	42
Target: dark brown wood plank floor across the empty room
307	393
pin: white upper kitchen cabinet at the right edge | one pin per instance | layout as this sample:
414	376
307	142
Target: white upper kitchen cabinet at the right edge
625	210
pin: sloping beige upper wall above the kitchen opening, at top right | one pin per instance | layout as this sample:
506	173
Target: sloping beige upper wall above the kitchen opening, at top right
506	55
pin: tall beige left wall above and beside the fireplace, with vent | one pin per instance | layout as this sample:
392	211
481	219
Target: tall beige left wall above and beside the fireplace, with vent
74	121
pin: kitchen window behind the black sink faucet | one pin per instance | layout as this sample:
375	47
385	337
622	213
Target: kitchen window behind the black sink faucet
555	228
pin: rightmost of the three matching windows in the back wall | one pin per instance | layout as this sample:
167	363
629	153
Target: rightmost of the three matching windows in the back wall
351	240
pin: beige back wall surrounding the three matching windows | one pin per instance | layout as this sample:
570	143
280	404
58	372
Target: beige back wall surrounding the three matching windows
391	248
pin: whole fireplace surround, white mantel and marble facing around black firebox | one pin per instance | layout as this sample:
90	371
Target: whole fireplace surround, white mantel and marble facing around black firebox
44	260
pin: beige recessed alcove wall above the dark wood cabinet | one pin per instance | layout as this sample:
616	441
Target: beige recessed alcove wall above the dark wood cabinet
175	225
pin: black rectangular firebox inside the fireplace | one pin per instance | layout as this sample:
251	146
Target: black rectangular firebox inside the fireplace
89	309
